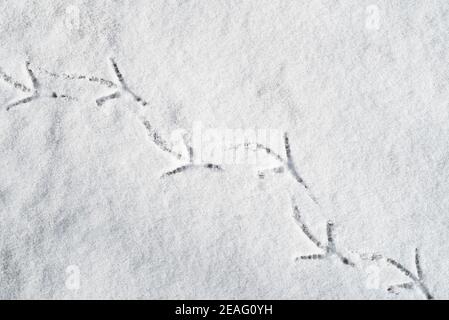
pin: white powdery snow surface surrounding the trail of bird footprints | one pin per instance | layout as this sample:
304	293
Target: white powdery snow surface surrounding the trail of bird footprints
359	86
